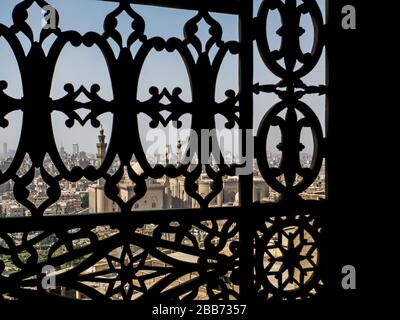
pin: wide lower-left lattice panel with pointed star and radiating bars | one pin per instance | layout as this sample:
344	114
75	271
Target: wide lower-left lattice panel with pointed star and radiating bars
136	261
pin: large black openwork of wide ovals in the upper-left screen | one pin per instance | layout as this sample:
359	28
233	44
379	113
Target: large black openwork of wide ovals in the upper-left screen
124	72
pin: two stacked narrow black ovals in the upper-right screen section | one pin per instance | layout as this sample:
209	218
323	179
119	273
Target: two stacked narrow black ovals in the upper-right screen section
290	89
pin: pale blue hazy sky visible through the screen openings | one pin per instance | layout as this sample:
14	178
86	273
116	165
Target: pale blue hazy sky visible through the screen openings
86	66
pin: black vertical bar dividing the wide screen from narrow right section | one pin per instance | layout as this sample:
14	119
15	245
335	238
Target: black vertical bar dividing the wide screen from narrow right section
246	119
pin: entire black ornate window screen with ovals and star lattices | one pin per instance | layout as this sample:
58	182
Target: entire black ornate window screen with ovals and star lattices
265	251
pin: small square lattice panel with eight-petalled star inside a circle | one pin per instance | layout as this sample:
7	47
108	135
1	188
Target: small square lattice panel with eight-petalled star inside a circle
287	256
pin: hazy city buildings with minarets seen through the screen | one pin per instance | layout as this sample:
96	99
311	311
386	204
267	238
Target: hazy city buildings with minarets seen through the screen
86	196
